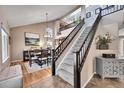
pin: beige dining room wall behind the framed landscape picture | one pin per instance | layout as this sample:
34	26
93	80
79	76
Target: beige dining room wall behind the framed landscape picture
18	38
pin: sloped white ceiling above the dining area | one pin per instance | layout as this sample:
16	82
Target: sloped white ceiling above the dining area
19	15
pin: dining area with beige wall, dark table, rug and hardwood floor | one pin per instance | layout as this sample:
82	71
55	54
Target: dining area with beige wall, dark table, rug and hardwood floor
31	48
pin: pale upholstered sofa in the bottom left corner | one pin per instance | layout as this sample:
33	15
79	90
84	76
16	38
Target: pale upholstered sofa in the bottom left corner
11	77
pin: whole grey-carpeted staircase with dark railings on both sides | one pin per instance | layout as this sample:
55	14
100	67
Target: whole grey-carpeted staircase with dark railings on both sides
70	68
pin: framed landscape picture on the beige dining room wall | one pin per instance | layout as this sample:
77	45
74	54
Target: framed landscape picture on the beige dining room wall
32	39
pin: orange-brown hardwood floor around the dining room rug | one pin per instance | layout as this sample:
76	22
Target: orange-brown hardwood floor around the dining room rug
32	78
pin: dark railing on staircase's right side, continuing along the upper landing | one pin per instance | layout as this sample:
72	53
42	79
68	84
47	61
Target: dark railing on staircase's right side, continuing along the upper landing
82	53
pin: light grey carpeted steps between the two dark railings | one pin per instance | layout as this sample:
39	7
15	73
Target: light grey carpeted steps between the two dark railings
66	69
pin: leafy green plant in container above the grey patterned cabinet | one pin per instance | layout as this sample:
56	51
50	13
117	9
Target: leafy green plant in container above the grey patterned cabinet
102	42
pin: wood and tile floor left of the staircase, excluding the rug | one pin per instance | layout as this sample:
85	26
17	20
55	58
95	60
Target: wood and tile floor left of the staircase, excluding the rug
41	79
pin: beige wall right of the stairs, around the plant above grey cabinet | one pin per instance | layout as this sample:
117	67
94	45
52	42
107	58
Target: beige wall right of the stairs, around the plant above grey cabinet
89	66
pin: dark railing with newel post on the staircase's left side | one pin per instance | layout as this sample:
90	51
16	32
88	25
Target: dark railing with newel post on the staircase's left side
59	50
